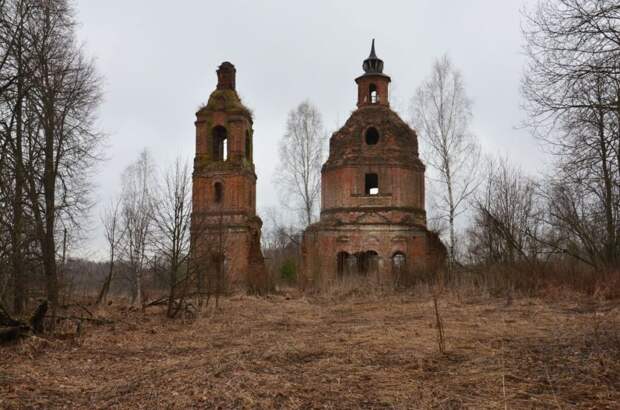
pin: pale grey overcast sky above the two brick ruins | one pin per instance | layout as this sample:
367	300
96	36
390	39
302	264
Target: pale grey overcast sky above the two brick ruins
158	59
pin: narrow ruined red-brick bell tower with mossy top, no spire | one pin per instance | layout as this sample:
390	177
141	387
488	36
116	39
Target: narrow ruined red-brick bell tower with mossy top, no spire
225	227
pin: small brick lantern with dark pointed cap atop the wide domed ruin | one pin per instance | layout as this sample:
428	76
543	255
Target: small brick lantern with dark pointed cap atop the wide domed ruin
372	86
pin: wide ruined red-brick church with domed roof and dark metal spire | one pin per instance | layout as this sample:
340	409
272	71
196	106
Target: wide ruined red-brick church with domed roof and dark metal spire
373	221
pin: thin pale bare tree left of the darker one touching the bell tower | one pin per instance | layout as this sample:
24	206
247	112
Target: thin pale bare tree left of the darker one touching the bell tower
137	218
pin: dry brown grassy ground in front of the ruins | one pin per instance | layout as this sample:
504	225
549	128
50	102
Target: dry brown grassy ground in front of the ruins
294	351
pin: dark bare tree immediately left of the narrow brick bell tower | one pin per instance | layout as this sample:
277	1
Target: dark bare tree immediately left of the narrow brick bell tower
172	213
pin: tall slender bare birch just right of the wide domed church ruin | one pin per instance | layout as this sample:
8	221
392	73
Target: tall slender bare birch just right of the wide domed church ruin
441	112
